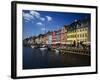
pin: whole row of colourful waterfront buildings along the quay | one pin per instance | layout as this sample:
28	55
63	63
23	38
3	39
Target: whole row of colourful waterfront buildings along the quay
73	34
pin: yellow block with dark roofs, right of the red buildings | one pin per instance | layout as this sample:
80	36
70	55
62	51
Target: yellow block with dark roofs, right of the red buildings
78	32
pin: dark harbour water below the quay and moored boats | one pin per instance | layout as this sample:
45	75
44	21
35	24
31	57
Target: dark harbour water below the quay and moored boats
36	58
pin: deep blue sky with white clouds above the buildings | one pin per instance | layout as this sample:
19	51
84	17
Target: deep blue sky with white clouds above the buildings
40	22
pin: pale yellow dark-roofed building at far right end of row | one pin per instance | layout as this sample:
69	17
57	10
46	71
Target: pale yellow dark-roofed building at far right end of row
83	32
